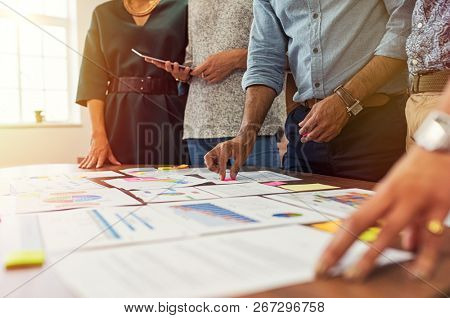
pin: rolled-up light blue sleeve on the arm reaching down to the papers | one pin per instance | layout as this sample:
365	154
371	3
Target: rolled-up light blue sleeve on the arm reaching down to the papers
267	49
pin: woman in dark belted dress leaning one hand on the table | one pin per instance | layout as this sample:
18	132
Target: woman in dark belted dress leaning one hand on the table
135	109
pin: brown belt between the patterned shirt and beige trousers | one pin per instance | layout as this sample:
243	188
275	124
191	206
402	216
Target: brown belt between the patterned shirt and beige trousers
434	82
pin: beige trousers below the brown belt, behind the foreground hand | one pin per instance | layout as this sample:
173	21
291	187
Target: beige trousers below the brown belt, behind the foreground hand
417	109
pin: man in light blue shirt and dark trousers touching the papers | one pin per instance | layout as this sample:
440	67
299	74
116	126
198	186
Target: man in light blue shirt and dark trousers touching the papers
348	61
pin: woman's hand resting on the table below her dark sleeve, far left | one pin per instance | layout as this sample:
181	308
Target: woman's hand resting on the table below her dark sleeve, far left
99	154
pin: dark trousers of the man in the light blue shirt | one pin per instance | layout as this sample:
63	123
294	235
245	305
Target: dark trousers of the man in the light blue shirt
366	148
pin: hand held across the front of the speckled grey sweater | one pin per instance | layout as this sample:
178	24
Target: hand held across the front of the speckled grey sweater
219	66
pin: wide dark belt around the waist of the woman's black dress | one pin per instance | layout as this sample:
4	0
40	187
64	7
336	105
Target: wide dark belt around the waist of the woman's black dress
143	85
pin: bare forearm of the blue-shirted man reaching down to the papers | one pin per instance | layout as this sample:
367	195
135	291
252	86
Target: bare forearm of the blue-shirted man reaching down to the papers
258	101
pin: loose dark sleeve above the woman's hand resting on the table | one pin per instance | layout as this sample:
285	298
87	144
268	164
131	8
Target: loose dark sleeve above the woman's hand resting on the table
93	81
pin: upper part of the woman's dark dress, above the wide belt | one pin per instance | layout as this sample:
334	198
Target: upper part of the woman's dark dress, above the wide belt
112	35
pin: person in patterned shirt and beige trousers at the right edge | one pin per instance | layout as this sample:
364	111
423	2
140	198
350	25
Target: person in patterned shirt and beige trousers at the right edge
428	49
